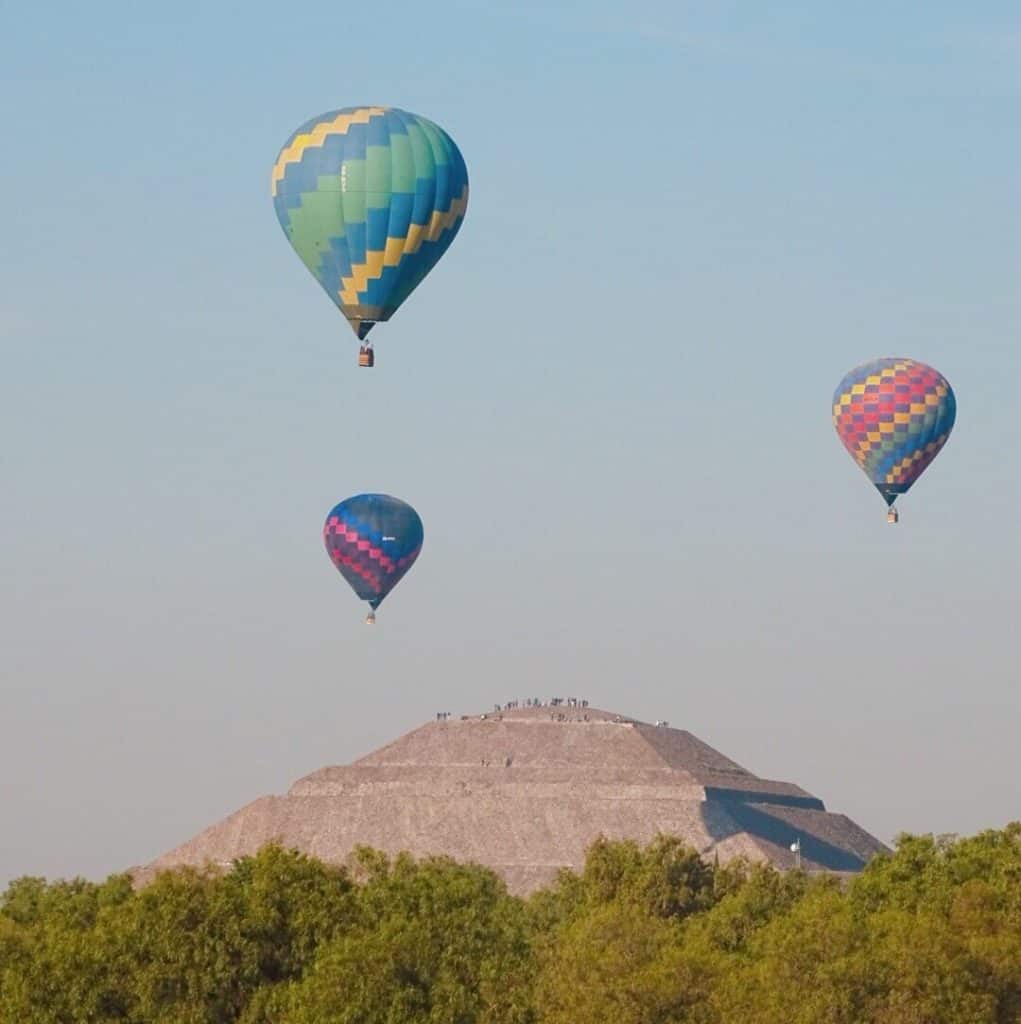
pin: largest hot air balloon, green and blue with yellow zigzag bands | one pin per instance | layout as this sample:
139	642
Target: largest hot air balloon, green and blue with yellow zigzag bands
370	198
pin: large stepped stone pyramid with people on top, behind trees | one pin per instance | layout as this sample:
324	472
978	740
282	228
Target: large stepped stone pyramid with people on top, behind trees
527	789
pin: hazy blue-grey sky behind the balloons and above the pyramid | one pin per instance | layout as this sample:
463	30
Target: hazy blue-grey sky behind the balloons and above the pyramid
610	402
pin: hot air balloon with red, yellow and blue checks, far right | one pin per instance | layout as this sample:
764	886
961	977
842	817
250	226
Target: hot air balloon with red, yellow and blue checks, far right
895	415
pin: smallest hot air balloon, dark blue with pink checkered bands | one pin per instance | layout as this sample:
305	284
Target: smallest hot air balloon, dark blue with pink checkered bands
373	540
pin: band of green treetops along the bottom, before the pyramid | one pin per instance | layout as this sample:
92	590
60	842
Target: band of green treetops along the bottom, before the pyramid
929	933
